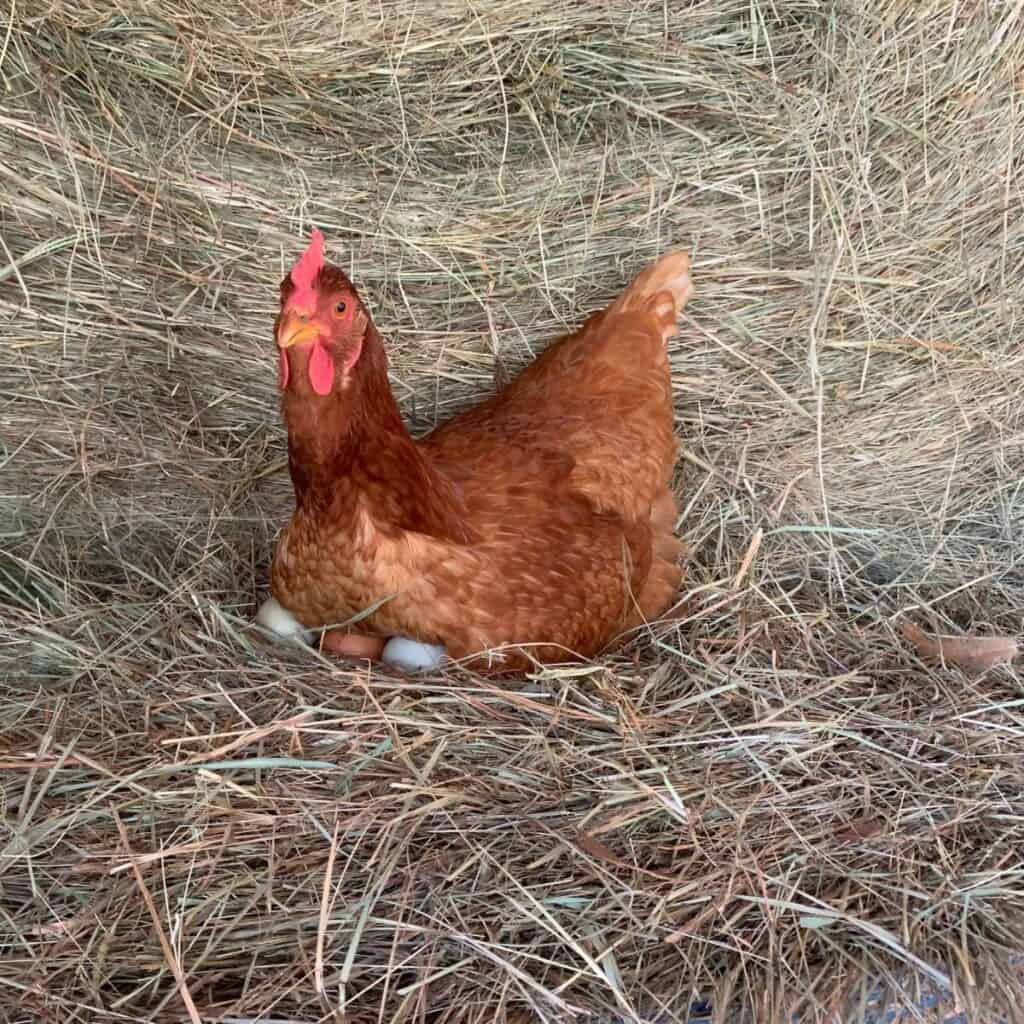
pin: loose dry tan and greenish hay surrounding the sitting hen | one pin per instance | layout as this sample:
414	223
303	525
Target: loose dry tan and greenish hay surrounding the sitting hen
778	806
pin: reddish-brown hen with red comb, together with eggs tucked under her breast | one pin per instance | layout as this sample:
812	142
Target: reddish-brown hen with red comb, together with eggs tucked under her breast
538	527
